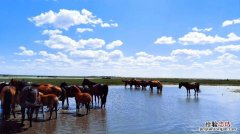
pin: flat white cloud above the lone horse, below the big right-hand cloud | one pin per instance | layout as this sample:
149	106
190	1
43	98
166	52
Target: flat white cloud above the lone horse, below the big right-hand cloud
191	53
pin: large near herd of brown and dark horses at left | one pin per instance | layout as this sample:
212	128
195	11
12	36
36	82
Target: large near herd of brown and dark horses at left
34	96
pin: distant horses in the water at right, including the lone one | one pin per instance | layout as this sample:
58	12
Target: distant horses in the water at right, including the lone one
155	83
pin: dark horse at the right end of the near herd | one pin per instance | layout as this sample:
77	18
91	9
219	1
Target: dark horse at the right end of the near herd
98	90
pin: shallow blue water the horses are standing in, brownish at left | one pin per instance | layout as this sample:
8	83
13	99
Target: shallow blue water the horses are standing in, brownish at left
137	111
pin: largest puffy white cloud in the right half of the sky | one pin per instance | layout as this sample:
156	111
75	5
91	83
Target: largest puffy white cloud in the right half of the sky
201	38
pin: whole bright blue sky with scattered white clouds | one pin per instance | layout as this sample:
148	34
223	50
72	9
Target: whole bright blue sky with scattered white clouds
155	38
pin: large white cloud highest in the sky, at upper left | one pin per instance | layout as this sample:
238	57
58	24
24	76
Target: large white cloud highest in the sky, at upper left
64	19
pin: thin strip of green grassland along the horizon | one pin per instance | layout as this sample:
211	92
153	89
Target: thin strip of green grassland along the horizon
113	80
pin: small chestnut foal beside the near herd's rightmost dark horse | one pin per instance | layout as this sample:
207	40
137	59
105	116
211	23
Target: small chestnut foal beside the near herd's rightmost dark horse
83	98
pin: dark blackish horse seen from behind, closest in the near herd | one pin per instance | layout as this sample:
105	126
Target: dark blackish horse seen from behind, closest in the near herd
28	98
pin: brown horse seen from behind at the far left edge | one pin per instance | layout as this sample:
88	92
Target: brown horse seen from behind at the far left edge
8	99
